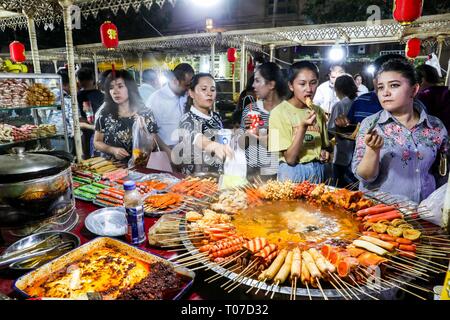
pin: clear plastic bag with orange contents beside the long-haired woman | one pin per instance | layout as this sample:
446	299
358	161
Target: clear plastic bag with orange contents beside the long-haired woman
142	143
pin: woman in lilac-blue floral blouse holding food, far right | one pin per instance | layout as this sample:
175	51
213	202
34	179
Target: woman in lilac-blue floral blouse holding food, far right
397	147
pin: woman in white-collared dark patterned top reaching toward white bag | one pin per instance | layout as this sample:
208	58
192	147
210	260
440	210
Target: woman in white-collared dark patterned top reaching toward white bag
198	130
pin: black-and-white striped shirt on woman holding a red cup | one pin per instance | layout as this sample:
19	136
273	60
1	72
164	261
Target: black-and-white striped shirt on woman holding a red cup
257	154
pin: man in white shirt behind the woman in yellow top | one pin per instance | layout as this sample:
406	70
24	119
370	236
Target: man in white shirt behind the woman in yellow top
325	96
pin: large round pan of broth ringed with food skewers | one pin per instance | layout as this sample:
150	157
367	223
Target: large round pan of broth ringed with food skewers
311	241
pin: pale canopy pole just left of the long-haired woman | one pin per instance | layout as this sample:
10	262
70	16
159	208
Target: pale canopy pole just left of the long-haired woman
65	4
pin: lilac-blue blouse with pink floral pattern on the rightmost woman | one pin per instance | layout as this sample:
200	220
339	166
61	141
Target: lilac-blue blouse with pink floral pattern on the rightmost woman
406	157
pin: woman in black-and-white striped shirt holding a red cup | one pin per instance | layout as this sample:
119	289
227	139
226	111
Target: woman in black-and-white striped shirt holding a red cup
270	88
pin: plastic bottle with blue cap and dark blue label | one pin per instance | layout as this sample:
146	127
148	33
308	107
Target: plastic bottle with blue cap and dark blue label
135	213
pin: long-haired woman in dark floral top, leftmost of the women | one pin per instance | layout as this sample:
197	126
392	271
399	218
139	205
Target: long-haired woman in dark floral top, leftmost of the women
114	121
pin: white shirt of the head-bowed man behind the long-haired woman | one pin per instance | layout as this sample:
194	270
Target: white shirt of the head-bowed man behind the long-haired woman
168	108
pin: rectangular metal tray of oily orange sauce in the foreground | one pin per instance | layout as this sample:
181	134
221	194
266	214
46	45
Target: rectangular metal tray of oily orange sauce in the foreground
110	268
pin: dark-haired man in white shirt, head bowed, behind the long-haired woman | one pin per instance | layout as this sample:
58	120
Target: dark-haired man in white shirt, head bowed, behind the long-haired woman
168	103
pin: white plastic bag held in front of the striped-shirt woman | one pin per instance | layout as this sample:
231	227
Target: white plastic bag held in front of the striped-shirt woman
235	169
